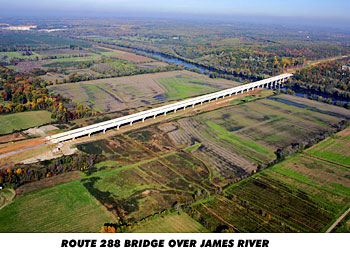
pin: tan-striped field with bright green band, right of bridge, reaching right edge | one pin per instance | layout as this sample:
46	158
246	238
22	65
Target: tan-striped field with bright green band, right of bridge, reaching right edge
237	140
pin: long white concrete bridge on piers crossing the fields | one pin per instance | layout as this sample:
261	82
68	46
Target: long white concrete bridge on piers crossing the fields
273	82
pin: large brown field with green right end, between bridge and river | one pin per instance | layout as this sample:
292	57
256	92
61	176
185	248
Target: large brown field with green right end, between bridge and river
115	94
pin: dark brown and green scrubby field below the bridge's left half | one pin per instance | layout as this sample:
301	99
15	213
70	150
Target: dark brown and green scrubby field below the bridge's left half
144	175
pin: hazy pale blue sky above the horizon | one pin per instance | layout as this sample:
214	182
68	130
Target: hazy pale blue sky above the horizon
297	12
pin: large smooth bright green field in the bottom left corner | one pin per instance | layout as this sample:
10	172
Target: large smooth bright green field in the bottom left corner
68	207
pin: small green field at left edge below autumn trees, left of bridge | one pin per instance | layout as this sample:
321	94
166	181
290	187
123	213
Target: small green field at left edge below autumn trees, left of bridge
23	120
